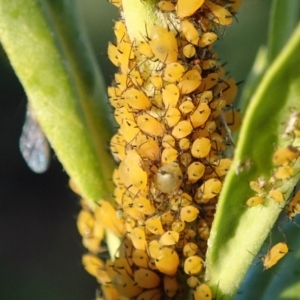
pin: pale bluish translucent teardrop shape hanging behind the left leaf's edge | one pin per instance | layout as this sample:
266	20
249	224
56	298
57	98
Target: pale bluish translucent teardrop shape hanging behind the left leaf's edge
33	144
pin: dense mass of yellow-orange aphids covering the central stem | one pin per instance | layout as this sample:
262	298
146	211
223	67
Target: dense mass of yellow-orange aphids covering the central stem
171	101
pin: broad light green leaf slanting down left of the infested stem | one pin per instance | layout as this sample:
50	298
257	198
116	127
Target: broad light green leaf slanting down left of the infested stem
50	53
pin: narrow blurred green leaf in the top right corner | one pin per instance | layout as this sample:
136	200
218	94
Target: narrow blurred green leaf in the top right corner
283	19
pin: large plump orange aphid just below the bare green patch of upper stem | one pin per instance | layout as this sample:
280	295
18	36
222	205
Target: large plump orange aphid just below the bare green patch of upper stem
163	44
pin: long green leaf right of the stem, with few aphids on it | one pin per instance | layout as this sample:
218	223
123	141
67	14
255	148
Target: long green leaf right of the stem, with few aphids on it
238	232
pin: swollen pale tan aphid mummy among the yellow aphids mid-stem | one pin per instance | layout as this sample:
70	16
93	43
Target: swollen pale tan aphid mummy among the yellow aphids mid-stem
168	178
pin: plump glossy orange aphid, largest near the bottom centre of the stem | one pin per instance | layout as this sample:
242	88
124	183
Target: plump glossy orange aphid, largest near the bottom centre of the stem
167	261
